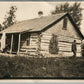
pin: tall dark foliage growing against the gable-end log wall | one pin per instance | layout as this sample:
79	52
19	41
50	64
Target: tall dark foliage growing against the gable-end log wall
53	46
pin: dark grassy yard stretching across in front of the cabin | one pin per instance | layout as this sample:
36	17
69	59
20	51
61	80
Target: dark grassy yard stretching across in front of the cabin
41	67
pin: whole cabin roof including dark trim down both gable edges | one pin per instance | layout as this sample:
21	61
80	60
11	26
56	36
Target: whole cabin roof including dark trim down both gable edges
38	24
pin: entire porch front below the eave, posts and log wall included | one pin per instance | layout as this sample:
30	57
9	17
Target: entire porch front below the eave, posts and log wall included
20	44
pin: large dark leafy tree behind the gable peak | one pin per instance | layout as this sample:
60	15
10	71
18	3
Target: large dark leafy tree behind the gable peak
74	11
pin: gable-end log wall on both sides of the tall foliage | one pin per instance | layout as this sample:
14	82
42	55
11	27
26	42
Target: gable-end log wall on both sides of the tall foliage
64	44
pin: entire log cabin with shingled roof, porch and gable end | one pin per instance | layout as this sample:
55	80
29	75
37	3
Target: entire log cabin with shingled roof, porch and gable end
32	37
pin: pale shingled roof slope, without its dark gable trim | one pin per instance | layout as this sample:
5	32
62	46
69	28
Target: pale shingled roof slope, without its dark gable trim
31	25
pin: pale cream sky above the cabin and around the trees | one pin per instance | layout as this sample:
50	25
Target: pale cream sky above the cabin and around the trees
29	9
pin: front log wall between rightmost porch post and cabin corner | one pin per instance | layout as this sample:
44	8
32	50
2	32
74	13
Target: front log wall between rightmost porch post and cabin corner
32	48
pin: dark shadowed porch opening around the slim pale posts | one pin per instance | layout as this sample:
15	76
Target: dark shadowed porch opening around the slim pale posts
12	43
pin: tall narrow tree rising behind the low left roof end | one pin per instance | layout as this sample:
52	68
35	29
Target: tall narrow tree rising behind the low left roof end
10	19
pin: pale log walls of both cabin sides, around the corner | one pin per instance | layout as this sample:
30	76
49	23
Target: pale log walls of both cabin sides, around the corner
40	43
